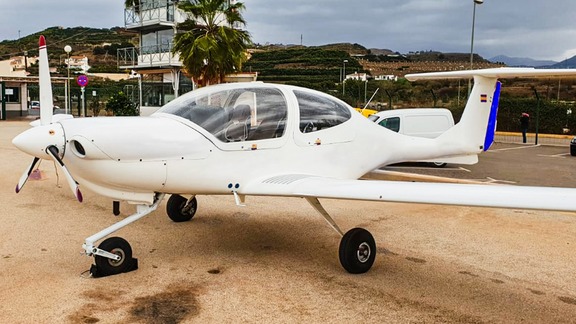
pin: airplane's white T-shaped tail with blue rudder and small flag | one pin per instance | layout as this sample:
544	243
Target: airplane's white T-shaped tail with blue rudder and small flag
475	131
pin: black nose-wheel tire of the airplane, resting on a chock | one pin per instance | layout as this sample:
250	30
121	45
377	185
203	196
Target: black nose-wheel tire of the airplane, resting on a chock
118	246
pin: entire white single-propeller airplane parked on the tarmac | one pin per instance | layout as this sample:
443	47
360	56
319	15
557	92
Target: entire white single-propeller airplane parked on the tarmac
257	139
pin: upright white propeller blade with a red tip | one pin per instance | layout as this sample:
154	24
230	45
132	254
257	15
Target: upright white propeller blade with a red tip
46	100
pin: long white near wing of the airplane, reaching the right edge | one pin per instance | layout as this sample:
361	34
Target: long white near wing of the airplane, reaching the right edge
499	196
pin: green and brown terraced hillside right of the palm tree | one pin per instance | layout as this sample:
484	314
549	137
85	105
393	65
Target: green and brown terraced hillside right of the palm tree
311	66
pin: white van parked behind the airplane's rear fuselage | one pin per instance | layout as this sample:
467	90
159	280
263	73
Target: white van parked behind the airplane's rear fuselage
421	122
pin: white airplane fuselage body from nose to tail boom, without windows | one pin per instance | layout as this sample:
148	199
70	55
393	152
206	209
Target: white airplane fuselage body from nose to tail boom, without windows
218	139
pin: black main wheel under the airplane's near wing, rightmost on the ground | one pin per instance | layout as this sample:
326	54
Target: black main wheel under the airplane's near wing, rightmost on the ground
357	251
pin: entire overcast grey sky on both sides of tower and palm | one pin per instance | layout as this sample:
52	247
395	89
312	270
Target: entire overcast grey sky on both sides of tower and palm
516	28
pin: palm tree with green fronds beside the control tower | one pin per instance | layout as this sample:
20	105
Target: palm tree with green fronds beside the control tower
208	45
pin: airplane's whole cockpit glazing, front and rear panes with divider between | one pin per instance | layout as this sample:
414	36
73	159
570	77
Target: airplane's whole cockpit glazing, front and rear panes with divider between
251	111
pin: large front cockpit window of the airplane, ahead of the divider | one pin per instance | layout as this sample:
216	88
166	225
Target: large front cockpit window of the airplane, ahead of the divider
242	114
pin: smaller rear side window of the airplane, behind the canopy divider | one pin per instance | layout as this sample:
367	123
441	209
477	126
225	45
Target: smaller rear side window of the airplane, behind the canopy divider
317	113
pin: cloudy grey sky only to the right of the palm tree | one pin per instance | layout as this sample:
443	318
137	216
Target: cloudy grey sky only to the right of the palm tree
512	27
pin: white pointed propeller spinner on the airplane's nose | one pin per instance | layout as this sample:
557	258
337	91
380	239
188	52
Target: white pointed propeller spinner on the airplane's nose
35	140
